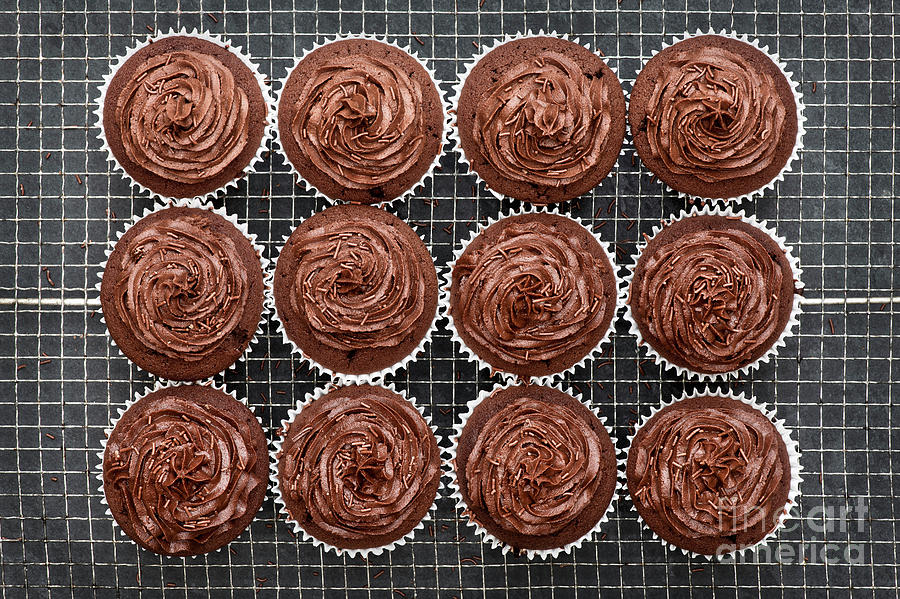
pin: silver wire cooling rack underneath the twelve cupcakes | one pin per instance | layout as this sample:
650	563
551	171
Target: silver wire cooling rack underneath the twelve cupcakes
60	380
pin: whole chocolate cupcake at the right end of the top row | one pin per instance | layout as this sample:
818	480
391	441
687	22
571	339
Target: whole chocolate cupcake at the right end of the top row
714	116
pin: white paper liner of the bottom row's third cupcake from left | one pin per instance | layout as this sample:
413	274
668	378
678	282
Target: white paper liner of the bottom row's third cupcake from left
487	537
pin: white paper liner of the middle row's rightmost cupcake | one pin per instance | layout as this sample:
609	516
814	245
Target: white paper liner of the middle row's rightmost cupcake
793	320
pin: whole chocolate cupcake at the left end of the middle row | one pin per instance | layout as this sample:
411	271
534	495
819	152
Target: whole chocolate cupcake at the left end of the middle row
182	291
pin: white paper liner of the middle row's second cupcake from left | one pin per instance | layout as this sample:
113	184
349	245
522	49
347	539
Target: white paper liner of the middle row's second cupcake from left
341	377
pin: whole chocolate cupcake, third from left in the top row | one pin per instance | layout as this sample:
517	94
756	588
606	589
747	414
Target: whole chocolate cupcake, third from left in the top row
539	118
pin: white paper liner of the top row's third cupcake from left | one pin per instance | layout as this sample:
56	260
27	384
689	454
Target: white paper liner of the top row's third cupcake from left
467	70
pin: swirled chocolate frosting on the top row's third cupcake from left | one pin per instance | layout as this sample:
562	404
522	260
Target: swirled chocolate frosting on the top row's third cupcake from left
544	121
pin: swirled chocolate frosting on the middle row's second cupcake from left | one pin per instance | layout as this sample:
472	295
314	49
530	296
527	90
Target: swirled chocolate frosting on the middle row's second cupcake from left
356	286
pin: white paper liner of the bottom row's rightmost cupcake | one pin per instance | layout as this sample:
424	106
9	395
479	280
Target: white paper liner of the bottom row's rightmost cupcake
793	451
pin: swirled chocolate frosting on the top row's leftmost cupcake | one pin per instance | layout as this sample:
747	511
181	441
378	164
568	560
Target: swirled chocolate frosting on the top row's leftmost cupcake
183	116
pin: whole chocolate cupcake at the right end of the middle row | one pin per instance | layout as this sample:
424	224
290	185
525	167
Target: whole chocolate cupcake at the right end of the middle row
713	293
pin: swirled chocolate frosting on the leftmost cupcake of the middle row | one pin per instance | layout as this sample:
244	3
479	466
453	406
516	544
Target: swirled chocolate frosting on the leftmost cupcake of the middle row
183	285
